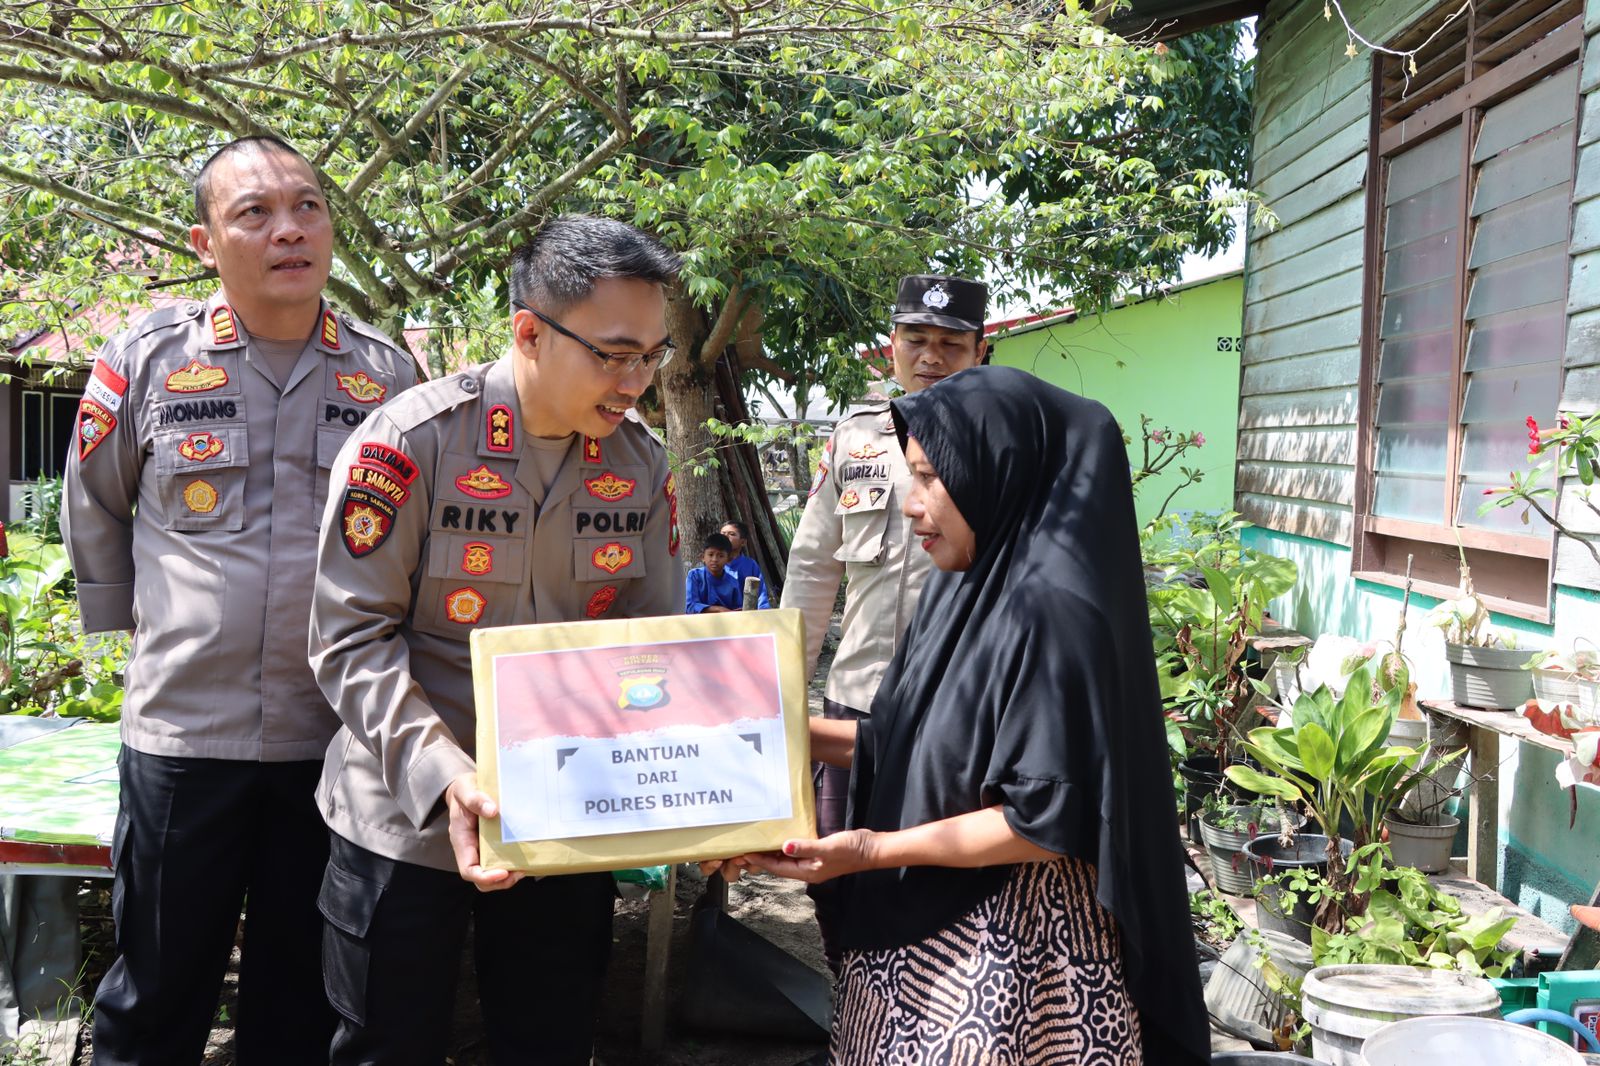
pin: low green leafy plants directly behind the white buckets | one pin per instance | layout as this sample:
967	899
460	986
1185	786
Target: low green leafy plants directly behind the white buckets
1407	921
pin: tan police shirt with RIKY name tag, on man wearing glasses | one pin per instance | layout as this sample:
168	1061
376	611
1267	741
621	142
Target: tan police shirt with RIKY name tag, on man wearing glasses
442	524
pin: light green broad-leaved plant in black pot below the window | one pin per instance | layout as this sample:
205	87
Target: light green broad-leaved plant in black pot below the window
1335	761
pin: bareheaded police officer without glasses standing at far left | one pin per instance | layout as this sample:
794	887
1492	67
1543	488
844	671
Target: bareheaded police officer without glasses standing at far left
193	499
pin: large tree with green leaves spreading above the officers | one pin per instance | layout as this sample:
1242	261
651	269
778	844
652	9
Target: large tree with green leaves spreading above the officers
799	156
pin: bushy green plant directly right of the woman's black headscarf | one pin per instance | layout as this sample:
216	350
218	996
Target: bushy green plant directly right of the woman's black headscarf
1207	601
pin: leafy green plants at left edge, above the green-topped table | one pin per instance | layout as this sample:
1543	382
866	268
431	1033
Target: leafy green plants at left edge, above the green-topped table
47	663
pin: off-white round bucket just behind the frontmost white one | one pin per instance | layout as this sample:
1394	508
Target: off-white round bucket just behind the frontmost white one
1351	1003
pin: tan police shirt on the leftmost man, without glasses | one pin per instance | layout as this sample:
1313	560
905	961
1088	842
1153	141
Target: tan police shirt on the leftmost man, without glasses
191	510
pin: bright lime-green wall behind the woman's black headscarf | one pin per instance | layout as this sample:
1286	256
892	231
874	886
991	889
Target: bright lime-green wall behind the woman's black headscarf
1159	358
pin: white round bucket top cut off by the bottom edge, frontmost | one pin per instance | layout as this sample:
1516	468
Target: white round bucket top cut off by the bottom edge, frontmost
1466	1043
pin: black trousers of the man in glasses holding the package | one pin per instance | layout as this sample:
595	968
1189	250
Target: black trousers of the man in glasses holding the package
393	953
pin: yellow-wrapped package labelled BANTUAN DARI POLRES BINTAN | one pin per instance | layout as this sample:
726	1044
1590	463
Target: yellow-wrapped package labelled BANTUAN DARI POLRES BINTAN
641	742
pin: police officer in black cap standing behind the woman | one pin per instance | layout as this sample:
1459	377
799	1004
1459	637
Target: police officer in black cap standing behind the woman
854	527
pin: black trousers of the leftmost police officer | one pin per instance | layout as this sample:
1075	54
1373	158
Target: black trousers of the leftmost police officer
198	840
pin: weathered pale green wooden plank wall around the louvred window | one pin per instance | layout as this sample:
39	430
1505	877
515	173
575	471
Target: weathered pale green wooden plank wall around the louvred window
1298	399
